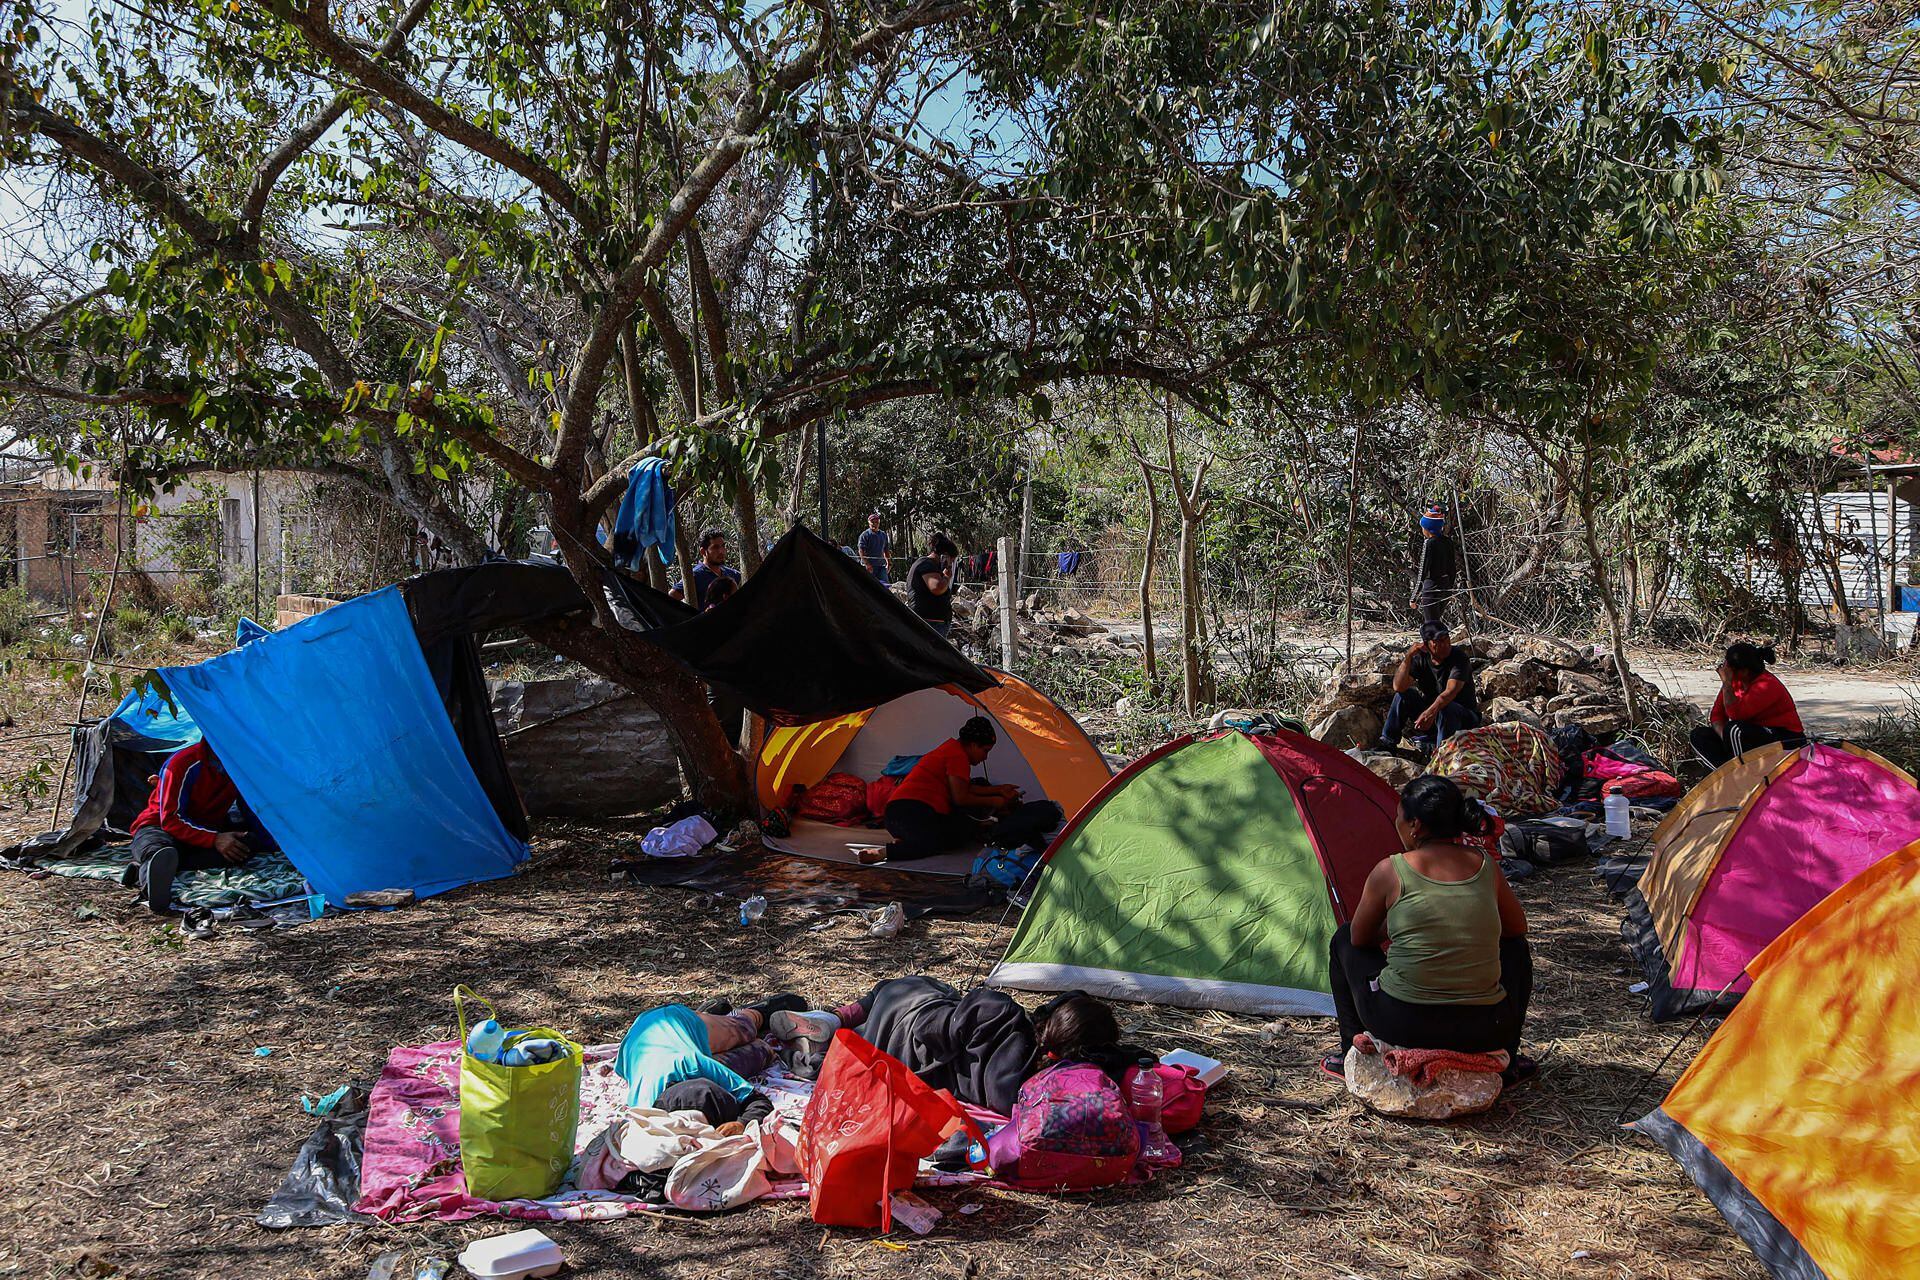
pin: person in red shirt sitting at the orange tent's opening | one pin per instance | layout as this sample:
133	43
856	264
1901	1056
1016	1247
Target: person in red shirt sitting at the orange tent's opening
940	809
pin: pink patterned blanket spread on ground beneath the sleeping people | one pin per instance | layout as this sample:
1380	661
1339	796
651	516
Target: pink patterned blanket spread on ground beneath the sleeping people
412	1152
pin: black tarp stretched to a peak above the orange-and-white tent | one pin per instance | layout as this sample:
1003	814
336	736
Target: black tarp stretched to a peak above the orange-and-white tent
813	636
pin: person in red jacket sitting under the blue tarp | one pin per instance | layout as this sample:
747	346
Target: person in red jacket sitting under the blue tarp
195	822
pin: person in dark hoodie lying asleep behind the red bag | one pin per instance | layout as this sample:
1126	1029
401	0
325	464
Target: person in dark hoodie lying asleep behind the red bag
980	1045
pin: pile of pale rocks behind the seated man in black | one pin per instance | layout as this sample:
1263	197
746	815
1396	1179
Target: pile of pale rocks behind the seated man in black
1529	678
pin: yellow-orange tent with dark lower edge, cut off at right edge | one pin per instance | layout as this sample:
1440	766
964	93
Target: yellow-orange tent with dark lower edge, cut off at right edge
1802	1116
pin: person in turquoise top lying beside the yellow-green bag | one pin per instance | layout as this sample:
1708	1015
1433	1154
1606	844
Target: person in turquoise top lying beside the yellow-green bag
700	1060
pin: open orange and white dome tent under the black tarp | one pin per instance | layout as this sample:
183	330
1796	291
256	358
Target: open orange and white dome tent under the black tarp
1042	749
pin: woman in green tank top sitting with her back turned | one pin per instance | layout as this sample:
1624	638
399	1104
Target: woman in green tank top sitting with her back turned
1437	955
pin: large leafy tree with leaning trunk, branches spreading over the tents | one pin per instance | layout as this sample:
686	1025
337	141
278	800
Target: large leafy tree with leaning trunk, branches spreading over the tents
537	241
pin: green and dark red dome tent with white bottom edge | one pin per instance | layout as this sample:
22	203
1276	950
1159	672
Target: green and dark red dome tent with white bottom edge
1209	874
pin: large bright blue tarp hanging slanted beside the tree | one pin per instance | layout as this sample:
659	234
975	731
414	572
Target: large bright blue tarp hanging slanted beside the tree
343	747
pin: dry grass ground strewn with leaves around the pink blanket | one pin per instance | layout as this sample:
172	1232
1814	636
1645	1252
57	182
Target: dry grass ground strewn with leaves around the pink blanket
143	1133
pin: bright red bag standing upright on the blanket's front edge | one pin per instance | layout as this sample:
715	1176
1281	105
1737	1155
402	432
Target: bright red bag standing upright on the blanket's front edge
867	1129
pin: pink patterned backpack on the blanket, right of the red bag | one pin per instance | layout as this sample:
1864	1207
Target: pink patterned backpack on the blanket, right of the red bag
1070	1131
